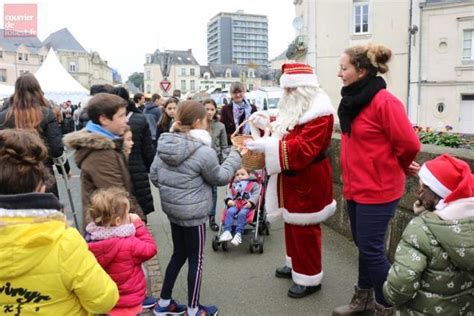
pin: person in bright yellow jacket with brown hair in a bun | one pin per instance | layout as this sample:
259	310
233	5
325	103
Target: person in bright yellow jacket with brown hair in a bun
45	262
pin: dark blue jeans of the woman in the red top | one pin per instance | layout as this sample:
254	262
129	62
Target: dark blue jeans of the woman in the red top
369	224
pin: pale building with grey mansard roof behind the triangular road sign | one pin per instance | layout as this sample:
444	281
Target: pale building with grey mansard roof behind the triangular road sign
179	67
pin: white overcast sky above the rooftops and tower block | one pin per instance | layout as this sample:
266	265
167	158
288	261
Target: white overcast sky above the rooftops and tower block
124	31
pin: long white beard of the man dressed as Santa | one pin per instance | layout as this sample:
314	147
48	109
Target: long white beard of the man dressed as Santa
291	107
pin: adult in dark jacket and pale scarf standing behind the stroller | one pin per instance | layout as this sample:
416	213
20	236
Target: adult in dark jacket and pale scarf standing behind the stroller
237	111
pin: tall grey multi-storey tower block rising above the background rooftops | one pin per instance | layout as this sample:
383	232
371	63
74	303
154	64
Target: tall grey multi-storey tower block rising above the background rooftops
238	38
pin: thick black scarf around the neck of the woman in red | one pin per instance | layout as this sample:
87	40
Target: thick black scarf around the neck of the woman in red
355	97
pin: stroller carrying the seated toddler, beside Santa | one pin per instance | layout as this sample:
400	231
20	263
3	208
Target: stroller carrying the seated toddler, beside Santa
257	224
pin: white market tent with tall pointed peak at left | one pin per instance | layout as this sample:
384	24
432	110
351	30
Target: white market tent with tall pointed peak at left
57	84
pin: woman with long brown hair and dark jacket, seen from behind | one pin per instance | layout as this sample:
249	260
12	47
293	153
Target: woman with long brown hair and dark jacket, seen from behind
28	109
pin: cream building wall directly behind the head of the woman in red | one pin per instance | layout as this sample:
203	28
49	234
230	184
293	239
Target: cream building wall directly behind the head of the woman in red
325	28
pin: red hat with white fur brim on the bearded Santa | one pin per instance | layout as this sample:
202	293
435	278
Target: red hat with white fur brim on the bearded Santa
298	75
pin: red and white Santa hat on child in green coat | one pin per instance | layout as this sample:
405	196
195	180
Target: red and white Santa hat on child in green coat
448	177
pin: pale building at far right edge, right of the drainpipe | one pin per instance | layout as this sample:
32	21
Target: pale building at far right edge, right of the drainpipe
444	89
